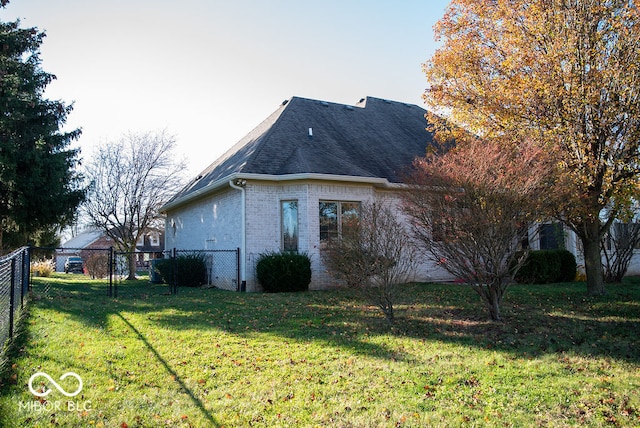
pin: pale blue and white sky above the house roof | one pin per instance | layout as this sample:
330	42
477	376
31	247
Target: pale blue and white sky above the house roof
209	71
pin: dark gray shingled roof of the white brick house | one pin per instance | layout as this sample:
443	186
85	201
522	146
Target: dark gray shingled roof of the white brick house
375	138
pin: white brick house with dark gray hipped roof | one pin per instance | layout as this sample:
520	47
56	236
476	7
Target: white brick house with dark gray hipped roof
290	183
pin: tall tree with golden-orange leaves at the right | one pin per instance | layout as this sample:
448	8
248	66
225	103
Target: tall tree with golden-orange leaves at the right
562	73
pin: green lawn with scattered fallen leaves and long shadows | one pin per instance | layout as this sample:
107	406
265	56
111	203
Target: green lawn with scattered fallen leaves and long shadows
206	357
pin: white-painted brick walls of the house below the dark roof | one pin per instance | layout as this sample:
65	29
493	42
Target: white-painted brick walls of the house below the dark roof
214	222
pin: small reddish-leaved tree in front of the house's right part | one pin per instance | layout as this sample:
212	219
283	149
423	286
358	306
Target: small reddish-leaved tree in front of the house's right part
471	209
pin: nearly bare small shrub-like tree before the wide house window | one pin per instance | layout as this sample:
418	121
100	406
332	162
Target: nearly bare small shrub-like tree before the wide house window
373	255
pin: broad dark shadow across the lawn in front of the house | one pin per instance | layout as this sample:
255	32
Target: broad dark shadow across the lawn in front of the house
557	318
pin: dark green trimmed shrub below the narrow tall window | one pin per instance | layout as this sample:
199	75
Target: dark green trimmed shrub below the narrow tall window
283	272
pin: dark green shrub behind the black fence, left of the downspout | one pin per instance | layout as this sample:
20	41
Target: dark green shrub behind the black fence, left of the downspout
190	270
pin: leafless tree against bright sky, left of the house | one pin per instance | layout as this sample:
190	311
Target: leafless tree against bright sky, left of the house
130	179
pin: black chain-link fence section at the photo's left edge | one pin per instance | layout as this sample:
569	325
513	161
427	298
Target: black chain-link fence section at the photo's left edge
14	284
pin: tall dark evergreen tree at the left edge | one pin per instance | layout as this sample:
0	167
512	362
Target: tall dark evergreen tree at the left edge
39	186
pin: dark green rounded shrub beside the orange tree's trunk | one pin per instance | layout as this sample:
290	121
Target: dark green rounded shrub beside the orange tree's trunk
547	266
